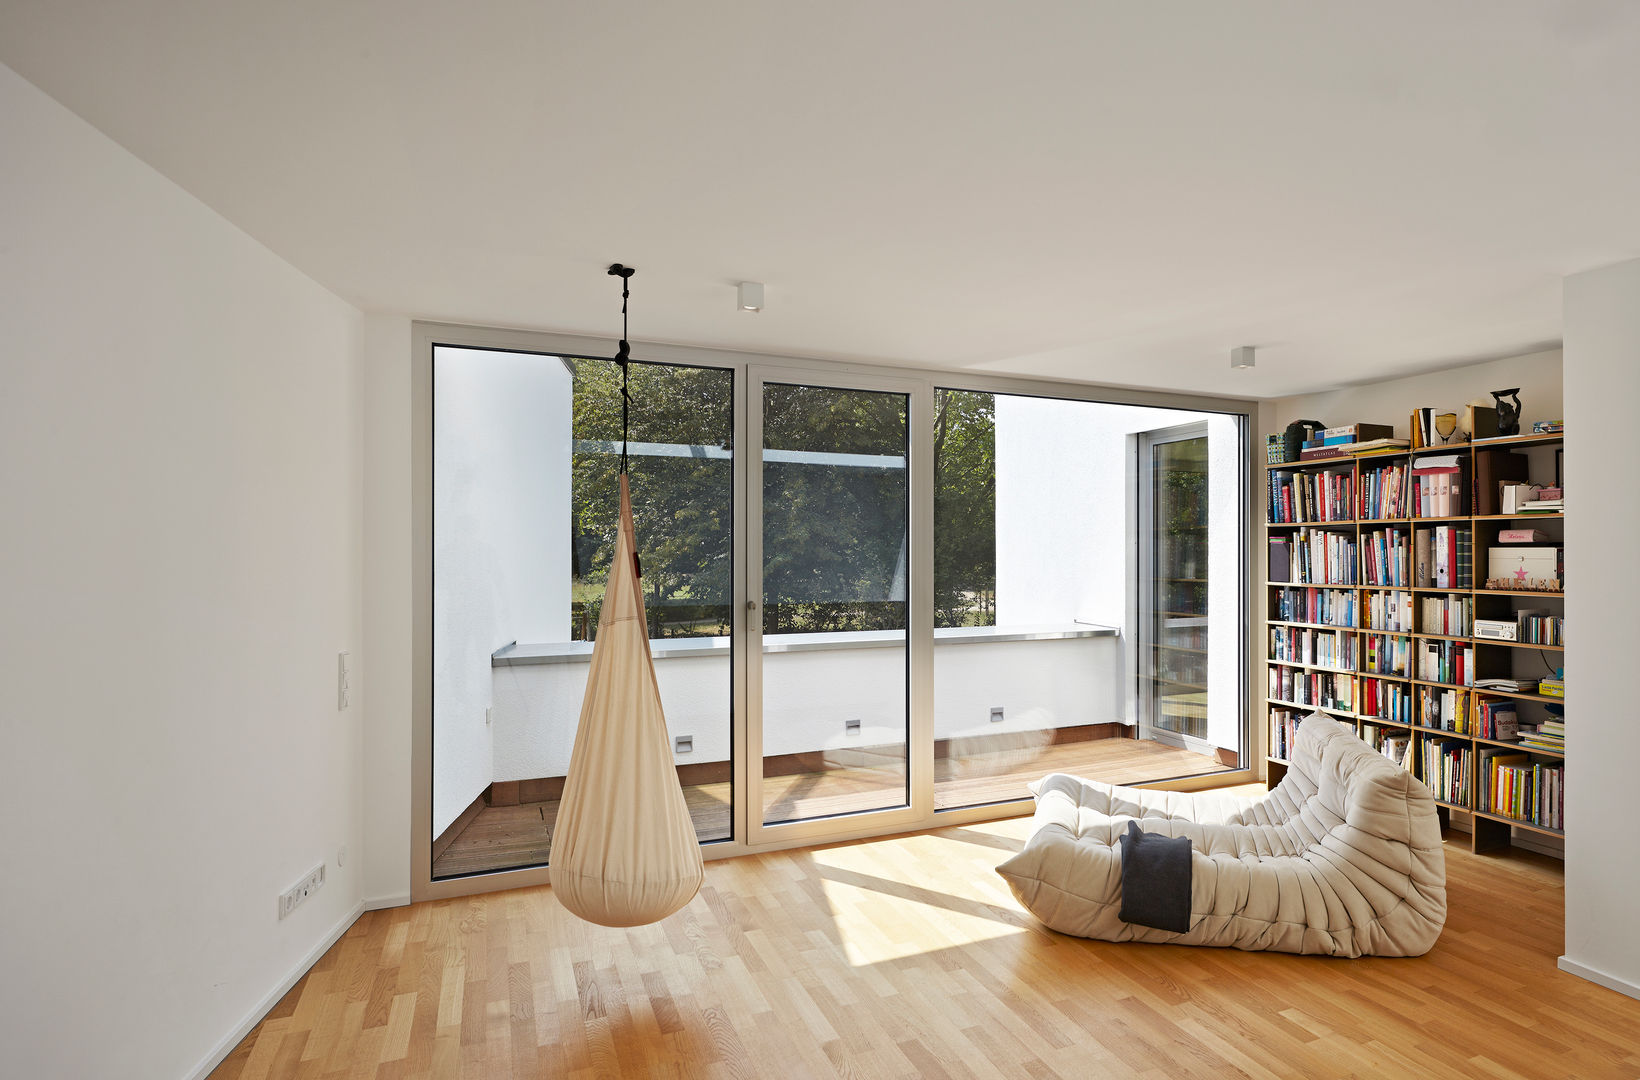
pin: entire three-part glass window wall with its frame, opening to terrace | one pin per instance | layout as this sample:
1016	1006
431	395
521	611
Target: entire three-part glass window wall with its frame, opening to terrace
873	599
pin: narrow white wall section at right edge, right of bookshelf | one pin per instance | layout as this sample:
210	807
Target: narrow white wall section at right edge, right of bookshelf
1603	802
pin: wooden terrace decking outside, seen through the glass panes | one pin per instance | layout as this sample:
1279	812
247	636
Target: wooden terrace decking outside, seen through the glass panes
519	837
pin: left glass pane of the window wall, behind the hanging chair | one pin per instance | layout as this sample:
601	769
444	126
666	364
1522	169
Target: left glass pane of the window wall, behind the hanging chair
526	463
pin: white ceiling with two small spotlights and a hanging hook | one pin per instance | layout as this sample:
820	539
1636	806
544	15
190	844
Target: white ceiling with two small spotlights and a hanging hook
1114	193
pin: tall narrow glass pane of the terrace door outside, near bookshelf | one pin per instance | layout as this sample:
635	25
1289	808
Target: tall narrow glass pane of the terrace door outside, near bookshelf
1180	619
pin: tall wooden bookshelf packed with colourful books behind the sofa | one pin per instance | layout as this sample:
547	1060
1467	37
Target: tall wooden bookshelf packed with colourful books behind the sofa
1419	696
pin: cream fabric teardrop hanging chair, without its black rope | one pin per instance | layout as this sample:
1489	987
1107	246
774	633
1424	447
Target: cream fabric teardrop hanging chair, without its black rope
624	850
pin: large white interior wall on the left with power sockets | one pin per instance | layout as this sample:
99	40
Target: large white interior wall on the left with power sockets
181	565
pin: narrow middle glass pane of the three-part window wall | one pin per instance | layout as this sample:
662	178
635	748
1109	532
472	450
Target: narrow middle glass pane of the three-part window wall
834	602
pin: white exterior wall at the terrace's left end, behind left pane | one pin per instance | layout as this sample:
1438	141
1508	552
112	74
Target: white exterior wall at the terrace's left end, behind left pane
503	438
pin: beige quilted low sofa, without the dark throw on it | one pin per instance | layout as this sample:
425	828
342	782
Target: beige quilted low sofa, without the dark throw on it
1344	858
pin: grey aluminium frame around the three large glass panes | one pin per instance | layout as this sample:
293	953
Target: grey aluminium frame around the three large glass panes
427	335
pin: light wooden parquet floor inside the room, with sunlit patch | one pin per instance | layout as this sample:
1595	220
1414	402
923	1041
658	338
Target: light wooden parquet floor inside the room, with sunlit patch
909	958
